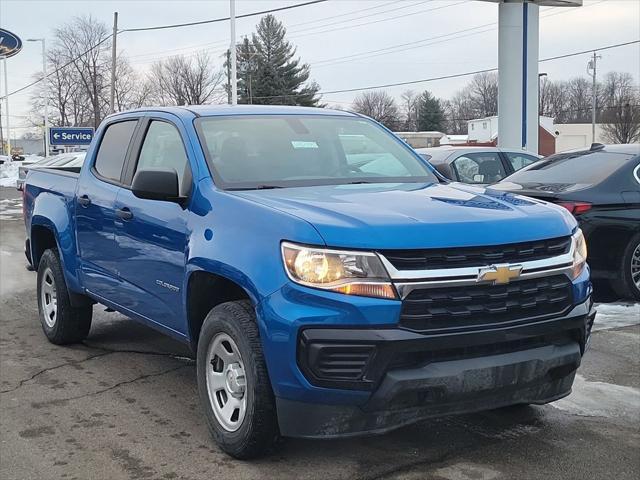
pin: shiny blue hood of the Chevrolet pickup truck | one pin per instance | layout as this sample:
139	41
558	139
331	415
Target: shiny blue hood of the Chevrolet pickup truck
395	216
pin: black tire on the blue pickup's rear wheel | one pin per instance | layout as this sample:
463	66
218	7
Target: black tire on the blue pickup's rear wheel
69	324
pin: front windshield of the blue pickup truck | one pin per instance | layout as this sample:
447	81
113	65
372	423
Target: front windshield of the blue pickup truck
271	151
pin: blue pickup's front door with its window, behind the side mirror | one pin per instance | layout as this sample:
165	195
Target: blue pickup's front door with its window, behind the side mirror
151	235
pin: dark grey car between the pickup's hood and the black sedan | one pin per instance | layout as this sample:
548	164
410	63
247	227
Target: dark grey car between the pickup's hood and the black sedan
479	165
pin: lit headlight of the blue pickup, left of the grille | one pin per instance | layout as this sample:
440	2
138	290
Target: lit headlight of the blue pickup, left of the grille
351	273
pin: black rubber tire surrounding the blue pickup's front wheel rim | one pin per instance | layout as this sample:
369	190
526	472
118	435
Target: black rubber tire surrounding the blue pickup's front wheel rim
258	431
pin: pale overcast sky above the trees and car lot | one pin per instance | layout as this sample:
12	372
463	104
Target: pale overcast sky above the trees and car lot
326	32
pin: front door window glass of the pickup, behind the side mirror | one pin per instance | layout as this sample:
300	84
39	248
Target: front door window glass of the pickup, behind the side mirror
163	148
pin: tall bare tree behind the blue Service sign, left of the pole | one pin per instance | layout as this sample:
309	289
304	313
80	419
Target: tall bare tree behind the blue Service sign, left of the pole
83	43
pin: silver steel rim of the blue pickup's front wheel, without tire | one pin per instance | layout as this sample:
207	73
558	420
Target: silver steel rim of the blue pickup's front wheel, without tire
226	382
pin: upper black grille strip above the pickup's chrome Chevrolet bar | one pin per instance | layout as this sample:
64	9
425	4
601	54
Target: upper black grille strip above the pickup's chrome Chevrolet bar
434	258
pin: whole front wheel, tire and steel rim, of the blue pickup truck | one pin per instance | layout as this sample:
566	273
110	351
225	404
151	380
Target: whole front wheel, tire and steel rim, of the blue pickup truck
233	383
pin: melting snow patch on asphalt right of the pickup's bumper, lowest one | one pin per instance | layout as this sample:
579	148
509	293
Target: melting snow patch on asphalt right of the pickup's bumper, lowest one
600	399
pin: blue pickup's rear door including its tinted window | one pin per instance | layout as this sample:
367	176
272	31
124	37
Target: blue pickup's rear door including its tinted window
95	203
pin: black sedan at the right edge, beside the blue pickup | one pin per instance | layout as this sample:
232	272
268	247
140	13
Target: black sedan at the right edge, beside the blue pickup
601	188
